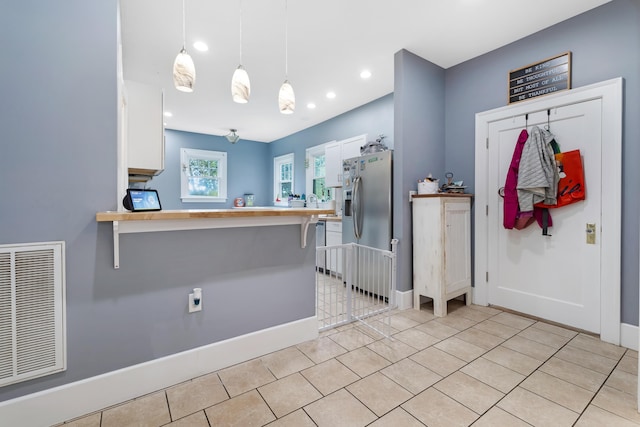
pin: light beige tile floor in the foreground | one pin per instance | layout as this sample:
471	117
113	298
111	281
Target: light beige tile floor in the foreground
477	366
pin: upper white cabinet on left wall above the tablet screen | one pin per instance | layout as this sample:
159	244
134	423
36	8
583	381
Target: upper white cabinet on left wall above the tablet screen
144	129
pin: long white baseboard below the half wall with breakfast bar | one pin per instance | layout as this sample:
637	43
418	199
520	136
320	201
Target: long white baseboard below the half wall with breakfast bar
72	400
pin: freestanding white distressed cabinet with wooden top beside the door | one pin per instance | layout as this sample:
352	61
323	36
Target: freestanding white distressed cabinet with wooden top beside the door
441	249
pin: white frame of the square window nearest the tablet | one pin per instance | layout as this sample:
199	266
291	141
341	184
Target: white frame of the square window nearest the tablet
187	154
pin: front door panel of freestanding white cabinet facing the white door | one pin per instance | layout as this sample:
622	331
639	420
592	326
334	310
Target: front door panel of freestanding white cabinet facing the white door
457	241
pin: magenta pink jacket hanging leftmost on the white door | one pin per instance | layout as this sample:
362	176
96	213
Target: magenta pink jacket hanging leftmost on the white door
512	216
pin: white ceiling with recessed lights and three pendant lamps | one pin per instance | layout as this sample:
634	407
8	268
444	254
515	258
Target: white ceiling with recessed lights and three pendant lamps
329	43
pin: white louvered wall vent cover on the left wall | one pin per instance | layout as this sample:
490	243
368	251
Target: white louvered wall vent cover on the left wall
32	311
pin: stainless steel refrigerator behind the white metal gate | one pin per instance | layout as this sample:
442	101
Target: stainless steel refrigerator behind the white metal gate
367	215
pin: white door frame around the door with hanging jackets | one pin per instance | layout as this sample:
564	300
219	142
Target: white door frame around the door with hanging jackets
610	92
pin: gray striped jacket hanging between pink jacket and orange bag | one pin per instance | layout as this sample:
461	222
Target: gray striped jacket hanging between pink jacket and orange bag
537	176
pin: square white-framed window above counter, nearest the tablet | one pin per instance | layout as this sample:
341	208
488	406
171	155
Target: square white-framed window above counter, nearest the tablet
204	176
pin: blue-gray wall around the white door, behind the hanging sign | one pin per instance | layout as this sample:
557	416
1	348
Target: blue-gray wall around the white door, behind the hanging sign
605	43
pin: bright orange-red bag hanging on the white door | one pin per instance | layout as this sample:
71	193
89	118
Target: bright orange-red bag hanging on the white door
571	187
